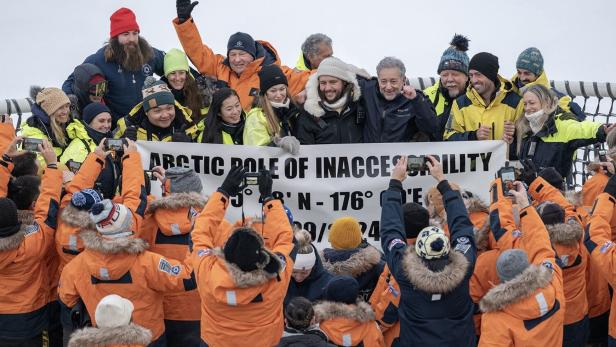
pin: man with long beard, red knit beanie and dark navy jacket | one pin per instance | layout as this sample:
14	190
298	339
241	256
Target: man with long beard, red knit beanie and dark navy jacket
126	60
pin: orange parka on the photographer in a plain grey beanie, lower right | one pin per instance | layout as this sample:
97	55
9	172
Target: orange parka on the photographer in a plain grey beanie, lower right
528	310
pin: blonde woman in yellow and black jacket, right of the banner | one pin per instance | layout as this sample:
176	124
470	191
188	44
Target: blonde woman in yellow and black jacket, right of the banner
550	137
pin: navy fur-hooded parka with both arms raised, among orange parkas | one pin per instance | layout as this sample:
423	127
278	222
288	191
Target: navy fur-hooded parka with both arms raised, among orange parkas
435	307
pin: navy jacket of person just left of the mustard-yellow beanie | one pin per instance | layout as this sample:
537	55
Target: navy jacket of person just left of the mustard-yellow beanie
313	287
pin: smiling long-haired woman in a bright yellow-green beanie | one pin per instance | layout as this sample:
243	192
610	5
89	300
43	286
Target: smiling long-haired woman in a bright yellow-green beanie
182	83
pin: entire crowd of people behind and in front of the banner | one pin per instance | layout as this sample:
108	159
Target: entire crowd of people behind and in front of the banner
89	257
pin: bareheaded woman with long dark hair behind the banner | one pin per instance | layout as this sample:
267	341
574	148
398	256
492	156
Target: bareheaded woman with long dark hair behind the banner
224	122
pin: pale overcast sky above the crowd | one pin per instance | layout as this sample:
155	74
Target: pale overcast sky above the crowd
42	41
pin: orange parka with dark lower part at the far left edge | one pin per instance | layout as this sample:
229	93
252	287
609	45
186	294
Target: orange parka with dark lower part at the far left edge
24	273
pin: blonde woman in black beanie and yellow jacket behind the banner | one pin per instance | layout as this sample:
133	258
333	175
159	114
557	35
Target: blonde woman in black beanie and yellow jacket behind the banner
270	121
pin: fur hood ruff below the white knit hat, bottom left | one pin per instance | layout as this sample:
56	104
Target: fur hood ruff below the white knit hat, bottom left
131	334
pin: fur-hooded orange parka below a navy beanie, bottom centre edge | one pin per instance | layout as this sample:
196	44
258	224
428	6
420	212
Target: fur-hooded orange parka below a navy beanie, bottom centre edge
349	325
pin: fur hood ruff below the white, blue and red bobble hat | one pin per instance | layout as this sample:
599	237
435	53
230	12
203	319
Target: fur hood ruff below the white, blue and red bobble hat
94	241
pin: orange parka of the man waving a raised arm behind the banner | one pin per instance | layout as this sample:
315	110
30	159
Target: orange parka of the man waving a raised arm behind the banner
246	84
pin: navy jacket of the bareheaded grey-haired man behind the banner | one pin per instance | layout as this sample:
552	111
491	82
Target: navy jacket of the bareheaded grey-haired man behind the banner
398	120
